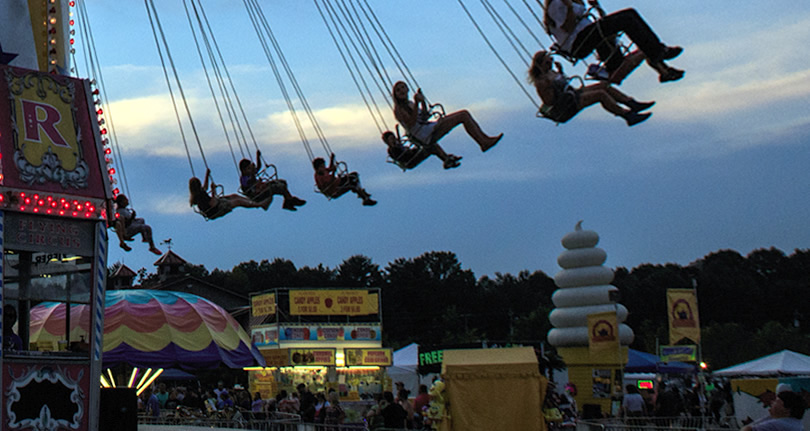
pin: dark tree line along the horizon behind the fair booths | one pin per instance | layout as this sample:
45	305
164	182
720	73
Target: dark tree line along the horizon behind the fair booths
749	306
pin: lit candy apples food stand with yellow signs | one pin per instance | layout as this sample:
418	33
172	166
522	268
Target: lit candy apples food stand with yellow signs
324	338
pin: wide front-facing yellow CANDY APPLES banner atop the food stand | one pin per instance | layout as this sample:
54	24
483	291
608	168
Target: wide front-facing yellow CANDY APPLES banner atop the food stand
332	302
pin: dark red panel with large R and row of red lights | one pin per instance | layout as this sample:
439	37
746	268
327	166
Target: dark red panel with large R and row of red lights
52	161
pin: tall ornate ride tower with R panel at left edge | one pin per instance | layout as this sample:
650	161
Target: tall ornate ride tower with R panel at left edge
55	196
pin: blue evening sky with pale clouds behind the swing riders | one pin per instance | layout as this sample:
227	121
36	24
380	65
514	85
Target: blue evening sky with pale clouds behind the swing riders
721	164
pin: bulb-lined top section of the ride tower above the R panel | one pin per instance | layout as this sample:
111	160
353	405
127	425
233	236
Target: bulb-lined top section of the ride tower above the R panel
26	32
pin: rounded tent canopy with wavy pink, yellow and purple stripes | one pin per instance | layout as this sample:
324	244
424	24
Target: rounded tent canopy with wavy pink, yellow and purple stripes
153	328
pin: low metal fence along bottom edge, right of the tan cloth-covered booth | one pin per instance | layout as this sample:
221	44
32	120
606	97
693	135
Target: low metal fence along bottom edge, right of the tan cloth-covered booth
680	423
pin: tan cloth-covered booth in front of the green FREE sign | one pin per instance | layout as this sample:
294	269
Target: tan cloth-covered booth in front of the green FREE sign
493	389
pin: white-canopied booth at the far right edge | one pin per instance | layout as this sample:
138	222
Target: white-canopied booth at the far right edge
754	383
